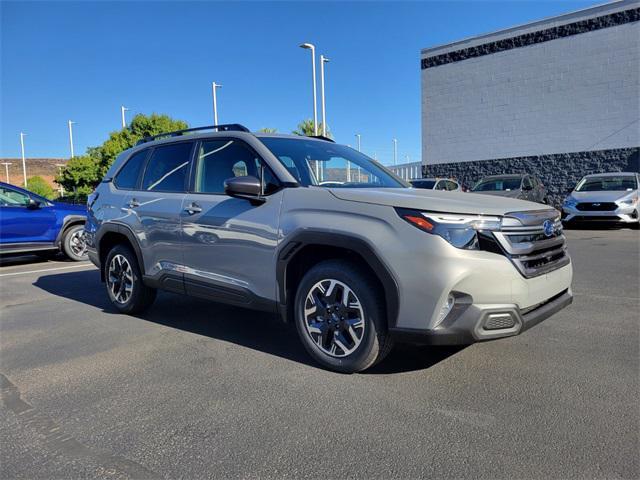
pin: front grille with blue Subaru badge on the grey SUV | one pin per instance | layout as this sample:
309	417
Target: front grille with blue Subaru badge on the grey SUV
533	251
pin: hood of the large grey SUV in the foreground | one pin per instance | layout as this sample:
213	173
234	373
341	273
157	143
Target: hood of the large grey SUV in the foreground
435	200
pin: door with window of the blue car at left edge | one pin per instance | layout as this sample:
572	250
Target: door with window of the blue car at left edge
20	224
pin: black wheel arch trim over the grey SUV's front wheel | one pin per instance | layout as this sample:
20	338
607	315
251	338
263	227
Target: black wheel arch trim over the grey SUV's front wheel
297	241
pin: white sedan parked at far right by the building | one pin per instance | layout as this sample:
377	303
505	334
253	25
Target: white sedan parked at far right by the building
610	197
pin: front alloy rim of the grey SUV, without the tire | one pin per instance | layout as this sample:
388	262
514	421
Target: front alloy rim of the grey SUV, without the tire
334	318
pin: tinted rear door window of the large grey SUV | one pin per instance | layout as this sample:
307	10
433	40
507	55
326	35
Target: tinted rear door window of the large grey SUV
167	168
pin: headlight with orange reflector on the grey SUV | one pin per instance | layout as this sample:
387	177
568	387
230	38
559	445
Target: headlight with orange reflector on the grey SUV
461	231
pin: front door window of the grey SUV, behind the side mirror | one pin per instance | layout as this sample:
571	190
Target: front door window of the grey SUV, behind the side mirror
219	160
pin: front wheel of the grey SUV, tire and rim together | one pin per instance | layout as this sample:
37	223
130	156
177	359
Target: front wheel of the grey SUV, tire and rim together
362	343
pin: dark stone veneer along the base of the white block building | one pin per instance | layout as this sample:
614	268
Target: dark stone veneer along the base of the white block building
559	172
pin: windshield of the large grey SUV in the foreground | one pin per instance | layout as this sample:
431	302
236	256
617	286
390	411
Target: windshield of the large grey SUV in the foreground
329	165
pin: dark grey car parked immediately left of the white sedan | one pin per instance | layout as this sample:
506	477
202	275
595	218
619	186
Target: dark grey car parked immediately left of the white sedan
522	186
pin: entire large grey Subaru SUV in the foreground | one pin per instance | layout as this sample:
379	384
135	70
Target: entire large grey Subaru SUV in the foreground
355	265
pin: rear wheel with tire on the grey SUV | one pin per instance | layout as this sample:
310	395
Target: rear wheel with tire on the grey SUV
123	281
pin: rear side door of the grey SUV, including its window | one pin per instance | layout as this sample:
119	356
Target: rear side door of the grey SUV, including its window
153	211
